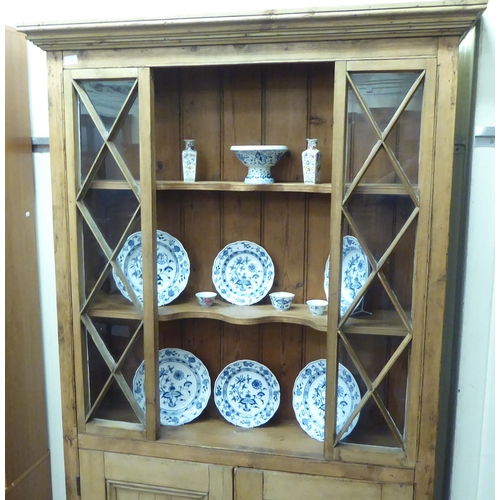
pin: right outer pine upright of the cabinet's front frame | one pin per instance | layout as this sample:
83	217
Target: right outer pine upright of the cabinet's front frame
443	159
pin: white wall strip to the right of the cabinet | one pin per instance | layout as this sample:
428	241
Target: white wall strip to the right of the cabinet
473	447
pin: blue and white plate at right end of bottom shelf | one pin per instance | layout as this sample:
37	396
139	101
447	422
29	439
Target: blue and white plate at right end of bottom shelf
308	400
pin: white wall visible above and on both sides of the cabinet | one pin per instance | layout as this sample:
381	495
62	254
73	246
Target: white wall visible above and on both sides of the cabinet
472	477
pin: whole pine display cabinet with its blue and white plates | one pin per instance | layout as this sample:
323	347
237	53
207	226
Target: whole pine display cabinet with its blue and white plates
166	399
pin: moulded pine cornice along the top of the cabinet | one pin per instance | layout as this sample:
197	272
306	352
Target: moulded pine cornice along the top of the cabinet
359	22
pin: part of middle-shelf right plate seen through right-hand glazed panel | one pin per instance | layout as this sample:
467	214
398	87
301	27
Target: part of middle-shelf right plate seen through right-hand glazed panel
355	271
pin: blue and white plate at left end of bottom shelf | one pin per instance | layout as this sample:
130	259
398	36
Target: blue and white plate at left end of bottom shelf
185	386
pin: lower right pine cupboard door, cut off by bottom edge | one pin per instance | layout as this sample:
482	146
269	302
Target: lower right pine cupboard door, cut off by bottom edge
252	484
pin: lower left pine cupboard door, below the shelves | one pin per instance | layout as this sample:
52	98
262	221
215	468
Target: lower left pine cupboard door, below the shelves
117	476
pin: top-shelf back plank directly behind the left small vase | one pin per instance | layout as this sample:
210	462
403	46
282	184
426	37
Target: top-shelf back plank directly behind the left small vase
201	118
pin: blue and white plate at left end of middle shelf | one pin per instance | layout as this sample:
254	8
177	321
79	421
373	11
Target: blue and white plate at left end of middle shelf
173	267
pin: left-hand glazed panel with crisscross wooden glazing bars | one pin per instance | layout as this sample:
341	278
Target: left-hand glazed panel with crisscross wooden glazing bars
112	202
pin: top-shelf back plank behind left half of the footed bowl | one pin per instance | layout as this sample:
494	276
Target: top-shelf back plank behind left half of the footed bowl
242	115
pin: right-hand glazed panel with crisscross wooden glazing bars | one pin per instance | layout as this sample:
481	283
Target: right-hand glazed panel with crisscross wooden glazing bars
383	133
